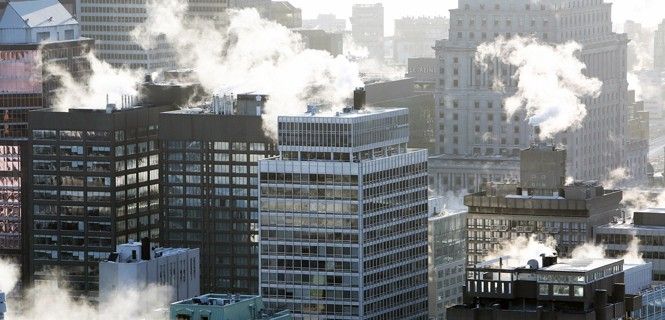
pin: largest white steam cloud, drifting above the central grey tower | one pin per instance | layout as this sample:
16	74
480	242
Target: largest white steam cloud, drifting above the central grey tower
251	55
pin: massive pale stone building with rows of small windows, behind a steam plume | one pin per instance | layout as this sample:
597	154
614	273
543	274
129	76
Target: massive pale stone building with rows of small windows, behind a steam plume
471	122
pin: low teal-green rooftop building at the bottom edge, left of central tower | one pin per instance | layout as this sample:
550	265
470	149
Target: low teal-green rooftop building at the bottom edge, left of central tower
224	307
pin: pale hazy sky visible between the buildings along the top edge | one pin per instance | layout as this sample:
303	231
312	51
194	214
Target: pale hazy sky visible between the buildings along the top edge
650	12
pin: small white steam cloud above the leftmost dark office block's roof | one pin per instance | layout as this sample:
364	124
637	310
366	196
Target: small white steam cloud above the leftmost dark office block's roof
105	82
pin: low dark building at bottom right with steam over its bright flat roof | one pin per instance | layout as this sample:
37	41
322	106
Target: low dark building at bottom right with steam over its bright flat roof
549	288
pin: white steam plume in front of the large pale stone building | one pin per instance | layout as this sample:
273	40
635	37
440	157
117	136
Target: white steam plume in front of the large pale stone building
550	81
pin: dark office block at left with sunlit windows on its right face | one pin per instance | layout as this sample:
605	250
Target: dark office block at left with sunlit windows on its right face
92	183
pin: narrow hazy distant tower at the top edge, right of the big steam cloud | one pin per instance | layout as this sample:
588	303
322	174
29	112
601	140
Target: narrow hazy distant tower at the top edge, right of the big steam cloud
367	28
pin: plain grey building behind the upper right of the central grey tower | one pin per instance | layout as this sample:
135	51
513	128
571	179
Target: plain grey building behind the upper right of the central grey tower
401	94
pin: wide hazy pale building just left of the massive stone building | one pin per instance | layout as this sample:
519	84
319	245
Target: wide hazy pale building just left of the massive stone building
416	37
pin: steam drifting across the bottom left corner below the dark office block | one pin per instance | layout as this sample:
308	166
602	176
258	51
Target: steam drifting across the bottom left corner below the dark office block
49	302
